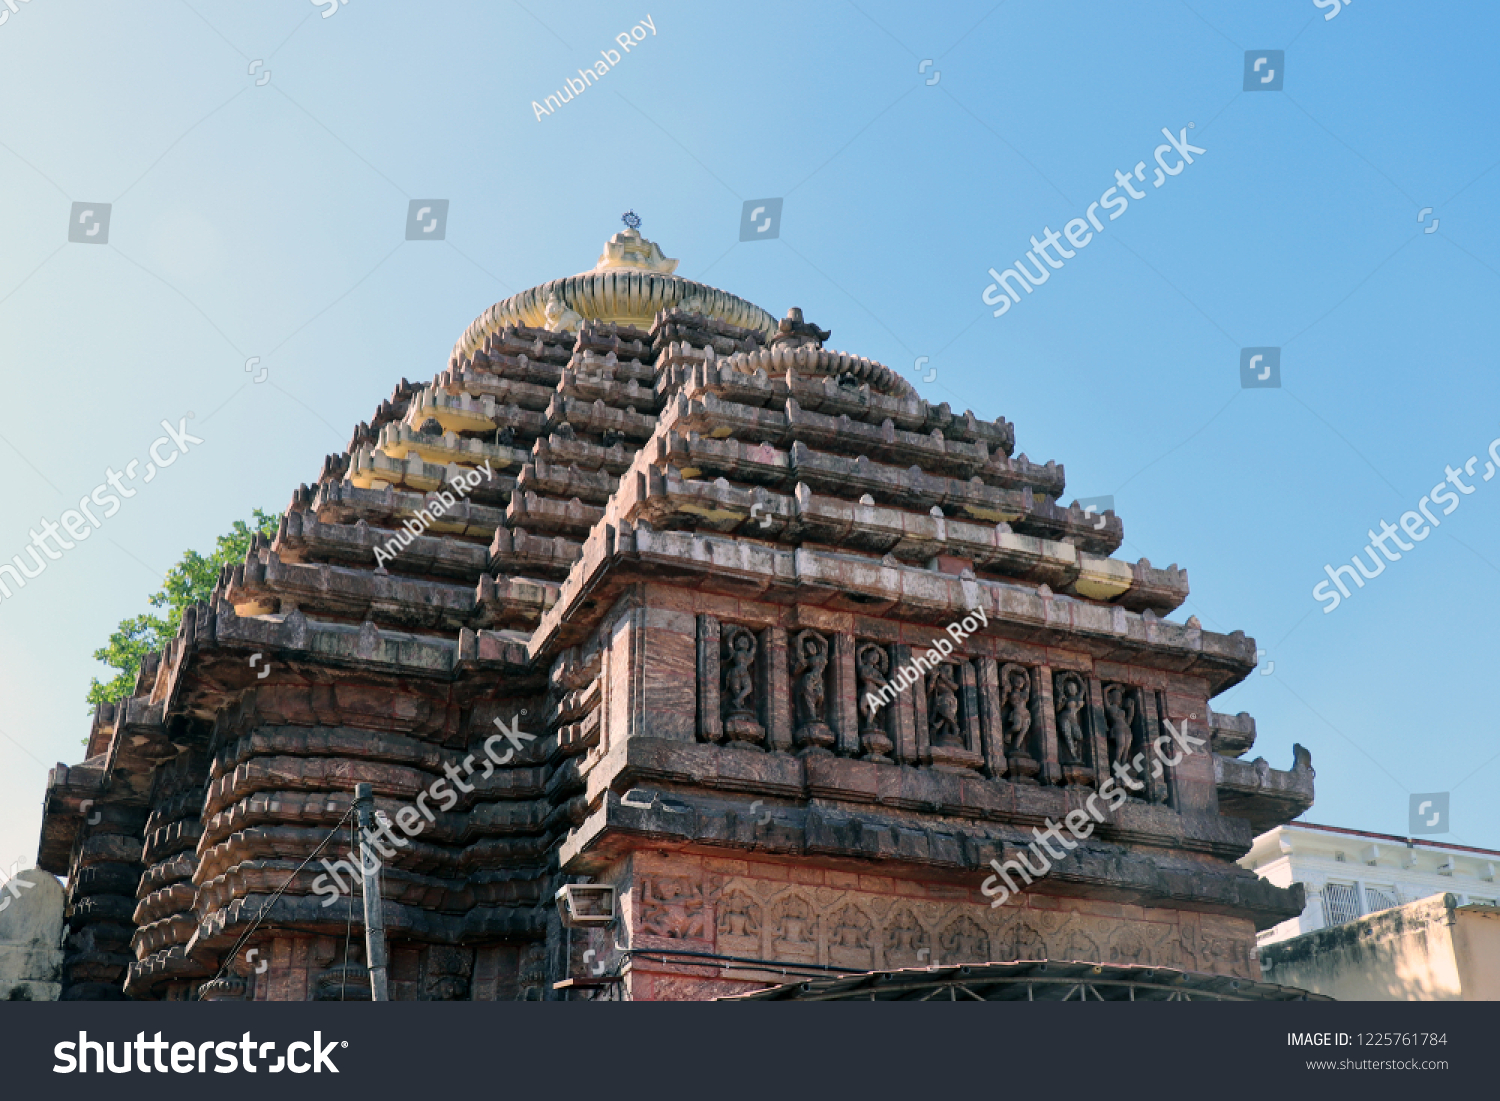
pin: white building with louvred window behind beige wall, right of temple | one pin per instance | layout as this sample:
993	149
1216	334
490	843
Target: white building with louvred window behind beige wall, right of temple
1351	874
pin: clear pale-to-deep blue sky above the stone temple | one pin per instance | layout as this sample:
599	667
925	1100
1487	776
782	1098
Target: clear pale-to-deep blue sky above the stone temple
266	220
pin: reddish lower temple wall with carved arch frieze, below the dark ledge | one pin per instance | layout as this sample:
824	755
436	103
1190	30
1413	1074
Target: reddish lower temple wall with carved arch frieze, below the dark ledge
800	916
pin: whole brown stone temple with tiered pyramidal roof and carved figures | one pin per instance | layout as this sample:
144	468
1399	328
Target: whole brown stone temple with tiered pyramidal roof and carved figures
688	545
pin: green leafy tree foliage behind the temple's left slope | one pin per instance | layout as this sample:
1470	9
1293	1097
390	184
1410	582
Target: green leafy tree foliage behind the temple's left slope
188	583
